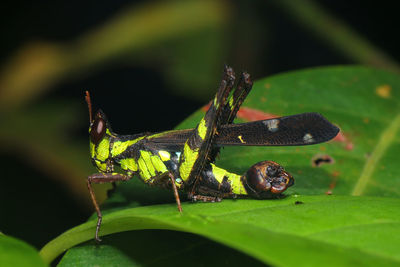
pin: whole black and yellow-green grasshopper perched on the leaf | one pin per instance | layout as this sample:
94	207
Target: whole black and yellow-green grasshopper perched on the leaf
184	159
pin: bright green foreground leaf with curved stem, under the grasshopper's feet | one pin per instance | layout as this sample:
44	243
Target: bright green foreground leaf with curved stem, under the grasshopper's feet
277	232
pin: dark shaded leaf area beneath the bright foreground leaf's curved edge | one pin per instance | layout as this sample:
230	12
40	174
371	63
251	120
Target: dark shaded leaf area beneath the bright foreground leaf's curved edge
172	247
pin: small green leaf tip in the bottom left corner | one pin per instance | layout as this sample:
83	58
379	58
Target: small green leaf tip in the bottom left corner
14	252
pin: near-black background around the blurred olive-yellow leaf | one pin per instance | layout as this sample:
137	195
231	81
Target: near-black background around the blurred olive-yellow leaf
136	90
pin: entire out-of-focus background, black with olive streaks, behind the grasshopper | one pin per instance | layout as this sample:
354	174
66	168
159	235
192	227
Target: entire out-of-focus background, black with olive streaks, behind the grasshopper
148	65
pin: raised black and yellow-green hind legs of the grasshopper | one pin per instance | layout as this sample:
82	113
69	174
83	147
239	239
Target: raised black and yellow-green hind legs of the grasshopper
199	151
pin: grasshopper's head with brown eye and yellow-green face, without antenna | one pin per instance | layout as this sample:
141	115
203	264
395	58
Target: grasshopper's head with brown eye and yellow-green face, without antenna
100	136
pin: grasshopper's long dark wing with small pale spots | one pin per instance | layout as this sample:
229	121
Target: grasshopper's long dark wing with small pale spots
295	130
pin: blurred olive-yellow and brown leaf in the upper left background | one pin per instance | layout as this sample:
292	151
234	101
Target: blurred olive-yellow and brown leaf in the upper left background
133	31
